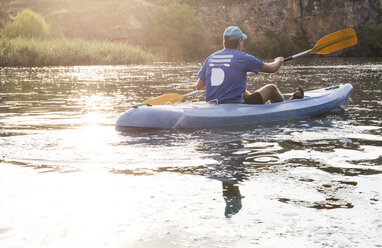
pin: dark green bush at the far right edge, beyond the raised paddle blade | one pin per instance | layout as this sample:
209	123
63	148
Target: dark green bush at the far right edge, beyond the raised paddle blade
373	40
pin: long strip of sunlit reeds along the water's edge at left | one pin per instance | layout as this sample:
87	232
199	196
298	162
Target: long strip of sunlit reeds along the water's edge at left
65	52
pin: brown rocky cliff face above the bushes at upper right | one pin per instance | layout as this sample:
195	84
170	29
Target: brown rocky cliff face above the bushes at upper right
312	18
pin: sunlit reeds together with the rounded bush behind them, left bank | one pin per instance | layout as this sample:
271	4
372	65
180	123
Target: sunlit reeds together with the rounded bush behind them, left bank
27	42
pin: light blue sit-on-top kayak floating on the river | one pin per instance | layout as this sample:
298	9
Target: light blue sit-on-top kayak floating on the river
206	115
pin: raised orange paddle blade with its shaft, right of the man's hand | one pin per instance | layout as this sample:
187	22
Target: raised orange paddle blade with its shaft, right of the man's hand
331	42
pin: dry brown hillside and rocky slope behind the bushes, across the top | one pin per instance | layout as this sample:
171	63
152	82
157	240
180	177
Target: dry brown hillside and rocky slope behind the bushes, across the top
304	21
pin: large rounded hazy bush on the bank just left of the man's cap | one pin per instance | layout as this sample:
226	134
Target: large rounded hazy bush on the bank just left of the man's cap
178	32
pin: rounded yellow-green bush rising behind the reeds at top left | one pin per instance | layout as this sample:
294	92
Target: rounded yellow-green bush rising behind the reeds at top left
27	24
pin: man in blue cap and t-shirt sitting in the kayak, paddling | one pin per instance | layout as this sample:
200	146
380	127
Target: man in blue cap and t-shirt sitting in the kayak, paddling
224	73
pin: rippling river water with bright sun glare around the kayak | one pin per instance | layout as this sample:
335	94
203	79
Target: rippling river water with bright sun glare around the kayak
69	179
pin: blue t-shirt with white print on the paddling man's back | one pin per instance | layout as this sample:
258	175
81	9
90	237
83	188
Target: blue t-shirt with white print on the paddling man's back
225	75
